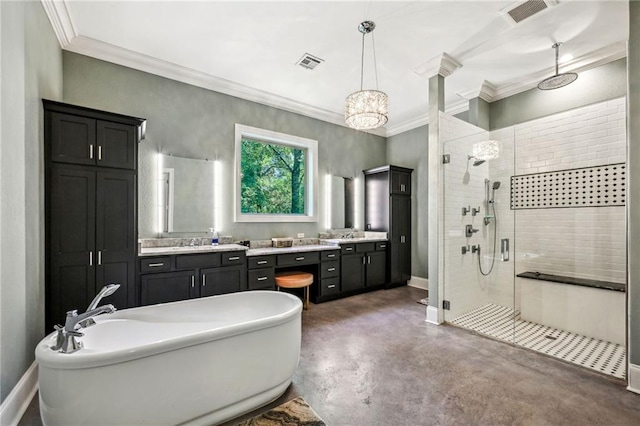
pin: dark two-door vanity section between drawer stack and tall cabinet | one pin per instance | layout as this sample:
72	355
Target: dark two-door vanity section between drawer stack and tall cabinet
363	265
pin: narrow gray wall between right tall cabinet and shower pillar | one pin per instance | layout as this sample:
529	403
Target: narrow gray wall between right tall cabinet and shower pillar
410	149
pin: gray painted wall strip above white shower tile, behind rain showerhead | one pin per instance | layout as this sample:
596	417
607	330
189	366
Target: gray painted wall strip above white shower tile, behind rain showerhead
606	82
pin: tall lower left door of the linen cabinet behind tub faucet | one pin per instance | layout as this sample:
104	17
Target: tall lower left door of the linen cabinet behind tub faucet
71	243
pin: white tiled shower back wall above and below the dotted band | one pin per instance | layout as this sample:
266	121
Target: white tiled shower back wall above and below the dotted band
586	242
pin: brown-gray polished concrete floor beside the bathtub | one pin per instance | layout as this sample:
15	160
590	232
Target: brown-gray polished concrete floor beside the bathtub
372	360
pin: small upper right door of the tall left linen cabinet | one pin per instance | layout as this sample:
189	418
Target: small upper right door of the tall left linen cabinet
116	145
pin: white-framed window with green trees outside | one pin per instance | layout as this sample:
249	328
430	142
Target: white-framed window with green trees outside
276	177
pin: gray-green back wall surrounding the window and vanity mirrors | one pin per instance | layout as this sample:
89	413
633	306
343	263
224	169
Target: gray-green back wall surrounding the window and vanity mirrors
189	121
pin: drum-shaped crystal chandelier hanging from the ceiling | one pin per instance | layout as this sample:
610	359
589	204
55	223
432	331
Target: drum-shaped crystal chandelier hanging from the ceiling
367	109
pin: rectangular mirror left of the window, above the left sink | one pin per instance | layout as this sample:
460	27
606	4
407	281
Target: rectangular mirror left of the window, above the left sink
186	192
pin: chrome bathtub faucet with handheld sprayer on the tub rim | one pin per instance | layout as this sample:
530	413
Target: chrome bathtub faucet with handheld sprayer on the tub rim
66	338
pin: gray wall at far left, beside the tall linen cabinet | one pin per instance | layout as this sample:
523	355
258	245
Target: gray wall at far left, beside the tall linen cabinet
31	69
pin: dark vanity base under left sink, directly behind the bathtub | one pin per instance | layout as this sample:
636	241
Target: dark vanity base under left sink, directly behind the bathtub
187	276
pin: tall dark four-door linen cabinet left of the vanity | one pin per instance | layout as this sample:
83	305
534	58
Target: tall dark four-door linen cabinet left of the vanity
90	207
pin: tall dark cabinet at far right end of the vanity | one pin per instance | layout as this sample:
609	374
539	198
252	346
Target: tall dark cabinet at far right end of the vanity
388	209
